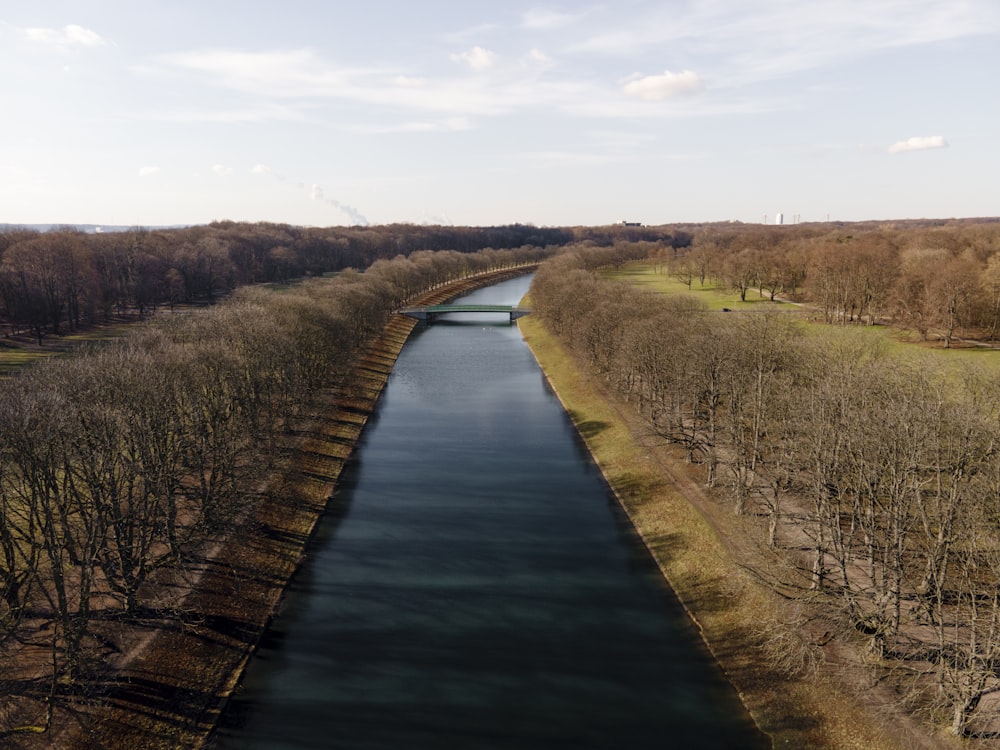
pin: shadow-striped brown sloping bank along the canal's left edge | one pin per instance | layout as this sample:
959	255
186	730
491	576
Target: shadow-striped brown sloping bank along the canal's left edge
170	687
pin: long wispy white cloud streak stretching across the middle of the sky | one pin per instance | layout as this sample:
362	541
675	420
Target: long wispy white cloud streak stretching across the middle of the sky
282	84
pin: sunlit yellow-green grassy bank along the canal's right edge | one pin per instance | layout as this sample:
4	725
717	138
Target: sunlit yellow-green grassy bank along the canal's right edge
694	543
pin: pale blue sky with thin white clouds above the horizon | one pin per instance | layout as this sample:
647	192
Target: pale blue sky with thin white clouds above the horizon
323	113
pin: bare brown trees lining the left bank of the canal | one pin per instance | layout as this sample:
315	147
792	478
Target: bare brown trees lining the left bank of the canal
129	457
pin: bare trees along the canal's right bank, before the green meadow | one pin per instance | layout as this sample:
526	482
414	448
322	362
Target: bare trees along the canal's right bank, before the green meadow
875	476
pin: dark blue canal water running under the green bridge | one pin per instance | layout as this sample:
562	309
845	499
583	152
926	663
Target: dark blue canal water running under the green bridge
478	586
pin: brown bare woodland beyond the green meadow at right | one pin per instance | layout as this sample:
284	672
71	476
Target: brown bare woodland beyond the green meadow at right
938	279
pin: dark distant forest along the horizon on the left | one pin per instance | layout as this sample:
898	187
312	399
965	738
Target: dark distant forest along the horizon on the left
56	281
